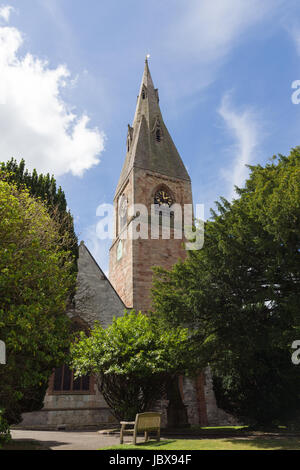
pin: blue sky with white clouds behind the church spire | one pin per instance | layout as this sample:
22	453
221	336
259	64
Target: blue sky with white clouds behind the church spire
71	71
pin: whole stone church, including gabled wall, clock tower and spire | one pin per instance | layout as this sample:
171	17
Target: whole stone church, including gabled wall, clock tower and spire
153	173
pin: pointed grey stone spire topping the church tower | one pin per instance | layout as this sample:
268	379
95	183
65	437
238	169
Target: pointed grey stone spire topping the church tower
149	144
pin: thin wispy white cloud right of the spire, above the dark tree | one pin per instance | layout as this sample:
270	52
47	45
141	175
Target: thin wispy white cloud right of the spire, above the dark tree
245	127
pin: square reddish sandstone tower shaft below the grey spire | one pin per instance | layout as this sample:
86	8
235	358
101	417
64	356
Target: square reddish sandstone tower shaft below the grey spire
131	275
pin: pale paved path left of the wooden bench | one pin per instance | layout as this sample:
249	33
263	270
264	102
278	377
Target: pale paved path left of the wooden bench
62	440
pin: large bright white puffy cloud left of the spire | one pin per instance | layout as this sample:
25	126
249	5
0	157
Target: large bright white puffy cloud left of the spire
35	123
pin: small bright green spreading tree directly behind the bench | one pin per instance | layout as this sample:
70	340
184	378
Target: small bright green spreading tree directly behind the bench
134	361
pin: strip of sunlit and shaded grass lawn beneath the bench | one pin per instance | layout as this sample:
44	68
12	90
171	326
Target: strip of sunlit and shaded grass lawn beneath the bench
255	443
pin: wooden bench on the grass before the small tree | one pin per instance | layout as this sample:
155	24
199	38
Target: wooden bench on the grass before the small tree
144	422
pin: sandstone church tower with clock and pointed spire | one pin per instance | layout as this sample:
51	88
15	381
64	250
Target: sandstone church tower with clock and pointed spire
153	174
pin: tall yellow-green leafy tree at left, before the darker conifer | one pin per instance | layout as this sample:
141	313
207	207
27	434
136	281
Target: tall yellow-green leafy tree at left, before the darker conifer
36	275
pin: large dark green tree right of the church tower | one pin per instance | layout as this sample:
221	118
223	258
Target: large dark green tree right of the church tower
241	292
